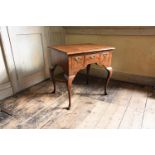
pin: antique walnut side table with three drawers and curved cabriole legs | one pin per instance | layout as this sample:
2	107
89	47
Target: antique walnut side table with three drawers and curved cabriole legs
74	57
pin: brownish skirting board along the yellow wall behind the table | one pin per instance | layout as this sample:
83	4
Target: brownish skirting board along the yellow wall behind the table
132	78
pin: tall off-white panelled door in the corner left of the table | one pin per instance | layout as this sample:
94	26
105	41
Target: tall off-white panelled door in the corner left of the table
29	54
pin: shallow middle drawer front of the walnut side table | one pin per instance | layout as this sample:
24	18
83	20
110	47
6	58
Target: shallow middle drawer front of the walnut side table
92	58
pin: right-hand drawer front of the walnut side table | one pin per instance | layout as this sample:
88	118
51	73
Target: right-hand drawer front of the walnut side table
105	59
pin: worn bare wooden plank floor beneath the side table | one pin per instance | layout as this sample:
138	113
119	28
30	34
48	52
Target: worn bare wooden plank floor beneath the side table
126	106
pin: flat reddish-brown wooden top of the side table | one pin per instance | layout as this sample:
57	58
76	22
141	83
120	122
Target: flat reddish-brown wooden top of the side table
71	49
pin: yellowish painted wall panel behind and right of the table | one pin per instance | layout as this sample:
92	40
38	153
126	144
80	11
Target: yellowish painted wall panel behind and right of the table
133	54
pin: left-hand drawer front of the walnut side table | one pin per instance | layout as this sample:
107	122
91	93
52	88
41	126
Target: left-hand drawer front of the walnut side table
77	61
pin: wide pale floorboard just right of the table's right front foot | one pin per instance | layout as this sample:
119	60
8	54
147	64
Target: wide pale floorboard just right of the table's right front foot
115	111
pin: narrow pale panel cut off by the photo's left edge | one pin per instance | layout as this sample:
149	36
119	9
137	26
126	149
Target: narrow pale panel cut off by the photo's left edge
5	84
